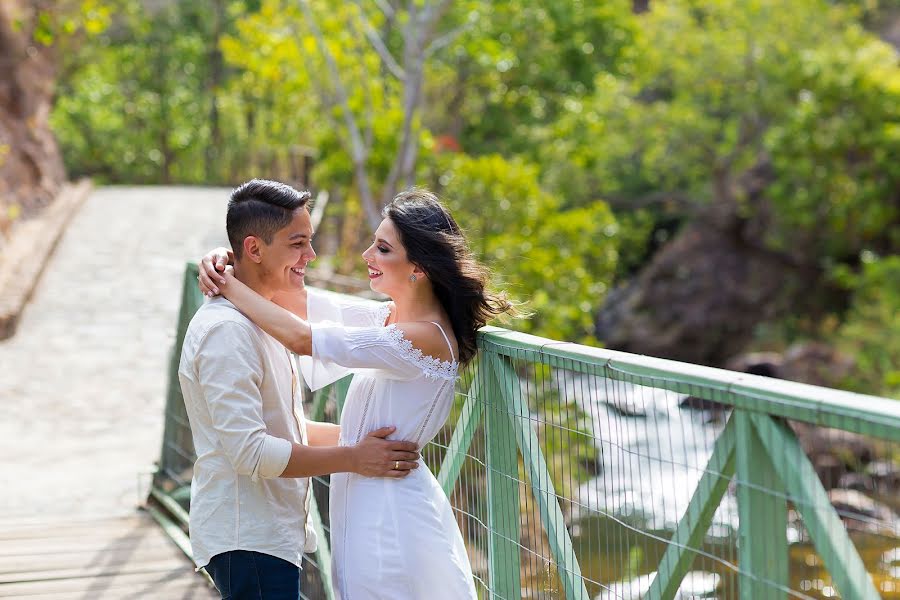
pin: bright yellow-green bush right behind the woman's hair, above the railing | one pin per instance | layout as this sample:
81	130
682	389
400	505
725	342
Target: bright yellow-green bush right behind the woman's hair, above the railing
556	260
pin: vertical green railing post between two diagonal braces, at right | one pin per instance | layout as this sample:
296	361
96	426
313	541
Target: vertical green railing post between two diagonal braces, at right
762	509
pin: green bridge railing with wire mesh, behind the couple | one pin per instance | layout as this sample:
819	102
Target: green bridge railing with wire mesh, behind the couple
577	472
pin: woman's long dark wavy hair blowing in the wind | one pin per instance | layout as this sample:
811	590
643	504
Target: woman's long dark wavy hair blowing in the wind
436	244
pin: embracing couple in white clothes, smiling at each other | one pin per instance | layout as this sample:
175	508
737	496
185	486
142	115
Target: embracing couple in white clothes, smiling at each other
393	533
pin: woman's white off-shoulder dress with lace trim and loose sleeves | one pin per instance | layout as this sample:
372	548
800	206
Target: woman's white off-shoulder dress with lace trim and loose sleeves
390	538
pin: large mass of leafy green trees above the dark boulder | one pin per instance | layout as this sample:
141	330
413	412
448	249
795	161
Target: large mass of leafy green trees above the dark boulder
722	89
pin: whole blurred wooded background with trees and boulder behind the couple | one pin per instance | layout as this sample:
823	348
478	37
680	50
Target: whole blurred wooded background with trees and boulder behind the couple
688	178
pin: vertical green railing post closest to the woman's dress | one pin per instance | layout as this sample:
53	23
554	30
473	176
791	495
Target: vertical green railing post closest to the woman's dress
503	488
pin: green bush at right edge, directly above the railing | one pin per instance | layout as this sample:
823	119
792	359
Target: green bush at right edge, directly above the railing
871	331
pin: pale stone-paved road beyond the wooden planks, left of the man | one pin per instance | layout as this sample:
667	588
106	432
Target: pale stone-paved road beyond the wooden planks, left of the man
82	383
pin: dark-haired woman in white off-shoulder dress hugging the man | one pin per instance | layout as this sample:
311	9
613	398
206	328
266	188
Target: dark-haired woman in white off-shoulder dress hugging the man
395	538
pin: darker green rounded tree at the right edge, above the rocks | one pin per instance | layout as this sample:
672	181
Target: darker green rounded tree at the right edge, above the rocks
835	148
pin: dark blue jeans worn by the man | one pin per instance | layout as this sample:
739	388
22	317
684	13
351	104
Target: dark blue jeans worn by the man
246	575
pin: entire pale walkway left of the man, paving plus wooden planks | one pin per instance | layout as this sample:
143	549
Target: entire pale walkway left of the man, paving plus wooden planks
82	390
